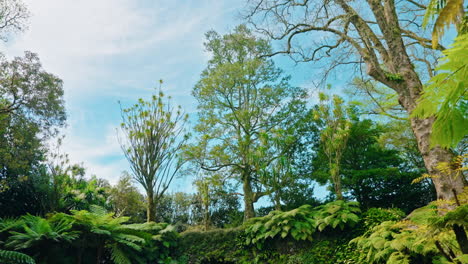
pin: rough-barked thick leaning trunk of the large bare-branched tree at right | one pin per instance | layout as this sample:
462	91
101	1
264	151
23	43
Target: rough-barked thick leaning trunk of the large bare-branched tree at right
408	88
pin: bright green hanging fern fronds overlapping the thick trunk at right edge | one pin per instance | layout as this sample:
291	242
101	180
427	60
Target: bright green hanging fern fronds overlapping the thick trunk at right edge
445	96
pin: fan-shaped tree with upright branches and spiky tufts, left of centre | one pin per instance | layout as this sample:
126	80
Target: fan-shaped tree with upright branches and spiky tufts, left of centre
153	135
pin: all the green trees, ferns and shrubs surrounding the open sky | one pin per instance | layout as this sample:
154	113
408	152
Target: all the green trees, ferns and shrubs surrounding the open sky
391	149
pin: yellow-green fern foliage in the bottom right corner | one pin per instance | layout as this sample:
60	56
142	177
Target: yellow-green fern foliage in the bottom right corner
422	237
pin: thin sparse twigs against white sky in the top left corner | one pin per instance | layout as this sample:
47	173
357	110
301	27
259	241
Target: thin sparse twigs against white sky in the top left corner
13	17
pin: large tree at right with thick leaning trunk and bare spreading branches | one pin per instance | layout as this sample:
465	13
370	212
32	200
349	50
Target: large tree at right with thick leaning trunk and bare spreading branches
383	36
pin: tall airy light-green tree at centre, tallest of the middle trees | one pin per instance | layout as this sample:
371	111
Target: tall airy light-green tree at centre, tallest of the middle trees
240	98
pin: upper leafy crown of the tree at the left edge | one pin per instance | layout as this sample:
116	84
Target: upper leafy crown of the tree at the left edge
26	89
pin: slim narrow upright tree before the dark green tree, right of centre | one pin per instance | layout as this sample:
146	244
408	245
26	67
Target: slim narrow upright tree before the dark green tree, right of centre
334	136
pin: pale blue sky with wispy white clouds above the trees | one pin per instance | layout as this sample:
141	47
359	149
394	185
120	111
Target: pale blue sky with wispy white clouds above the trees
108	51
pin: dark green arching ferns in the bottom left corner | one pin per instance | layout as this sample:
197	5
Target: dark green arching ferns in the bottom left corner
86	237
